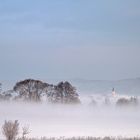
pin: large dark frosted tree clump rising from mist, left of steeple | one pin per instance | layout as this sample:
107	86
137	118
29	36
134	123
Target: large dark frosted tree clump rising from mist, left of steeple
35	90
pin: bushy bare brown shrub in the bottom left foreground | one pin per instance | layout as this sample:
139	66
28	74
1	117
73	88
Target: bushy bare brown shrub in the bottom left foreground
10	129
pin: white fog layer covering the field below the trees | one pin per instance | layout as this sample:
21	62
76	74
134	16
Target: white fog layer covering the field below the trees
72	120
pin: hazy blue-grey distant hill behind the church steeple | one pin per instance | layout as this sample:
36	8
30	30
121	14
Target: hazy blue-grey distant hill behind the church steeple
125	86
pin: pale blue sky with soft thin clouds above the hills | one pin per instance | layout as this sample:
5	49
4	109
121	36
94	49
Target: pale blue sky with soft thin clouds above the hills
61	39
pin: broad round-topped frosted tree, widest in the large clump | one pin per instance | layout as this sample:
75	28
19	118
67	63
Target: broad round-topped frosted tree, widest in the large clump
30	89
